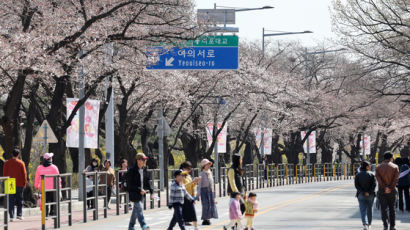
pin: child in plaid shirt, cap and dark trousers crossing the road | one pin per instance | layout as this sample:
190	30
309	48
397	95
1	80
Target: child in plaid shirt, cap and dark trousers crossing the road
176	200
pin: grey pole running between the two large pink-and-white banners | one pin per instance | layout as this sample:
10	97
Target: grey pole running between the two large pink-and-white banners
81	153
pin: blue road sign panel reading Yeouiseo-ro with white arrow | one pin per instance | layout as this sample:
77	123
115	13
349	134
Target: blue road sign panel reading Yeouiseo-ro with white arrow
201	58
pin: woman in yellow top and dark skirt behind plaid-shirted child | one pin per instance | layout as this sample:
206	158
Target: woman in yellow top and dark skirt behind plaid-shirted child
188	208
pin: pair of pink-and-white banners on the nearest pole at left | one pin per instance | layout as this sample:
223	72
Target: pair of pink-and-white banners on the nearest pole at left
92	109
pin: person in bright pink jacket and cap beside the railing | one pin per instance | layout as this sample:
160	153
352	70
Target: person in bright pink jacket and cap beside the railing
47	168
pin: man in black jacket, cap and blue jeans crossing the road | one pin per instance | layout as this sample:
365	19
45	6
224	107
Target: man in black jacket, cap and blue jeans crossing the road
138	184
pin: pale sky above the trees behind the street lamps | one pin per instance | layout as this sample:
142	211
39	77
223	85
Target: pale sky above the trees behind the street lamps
287	15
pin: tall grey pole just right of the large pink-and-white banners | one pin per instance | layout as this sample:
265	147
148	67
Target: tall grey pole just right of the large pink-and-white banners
109	114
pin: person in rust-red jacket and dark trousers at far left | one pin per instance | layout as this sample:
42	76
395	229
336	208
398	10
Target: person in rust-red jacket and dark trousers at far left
15	168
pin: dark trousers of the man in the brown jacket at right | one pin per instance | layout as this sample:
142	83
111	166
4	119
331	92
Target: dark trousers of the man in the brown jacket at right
387	207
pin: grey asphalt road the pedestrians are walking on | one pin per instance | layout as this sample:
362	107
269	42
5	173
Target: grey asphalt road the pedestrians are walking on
324	205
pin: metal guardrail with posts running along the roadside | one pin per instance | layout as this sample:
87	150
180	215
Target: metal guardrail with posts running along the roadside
255	177
